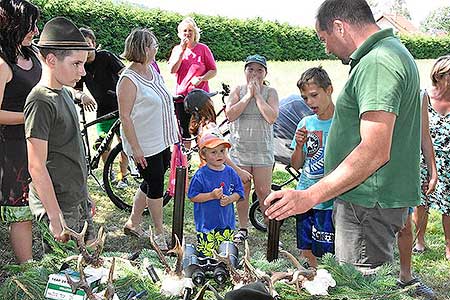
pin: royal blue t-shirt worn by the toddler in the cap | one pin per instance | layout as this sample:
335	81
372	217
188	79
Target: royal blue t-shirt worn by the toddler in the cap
210	215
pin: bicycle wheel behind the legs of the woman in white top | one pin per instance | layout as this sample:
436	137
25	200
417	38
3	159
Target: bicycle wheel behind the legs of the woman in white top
122	194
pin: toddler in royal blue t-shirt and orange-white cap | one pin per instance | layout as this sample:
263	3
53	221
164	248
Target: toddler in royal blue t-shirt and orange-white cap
213	189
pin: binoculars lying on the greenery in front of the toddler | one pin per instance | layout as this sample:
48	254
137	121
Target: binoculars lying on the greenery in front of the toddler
199	268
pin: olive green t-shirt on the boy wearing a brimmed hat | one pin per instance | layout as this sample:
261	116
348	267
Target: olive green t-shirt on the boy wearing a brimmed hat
51	115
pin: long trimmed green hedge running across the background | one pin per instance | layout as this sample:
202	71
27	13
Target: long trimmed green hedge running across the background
229	39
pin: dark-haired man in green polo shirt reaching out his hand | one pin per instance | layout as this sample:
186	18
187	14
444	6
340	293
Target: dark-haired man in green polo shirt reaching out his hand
373	149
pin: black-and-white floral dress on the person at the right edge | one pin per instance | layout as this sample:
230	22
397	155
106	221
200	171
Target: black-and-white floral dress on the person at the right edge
440	135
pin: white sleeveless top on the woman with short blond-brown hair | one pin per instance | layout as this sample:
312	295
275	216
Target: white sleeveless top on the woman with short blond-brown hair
153	114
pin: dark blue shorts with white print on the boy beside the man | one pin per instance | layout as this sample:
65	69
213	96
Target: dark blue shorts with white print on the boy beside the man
315	231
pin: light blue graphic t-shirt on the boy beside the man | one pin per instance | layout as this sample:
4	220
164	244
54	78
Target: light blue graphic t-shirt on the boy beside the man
314	149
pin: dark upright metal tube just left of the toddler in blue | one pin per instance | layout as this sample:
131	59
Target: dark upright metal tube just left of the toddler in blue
178	205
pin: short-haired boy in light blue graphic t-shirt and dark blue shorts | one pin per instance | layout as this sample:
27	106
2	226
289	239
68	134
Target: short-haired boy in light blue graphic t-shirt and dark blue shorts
315	231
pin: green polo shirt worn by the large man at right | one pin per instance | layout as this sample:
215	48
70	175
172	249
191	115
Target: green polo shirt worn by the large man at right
383	77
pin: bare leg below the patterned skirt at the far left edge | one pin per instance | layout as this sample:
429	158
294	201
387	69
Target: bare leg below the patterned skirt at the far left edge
21	240
